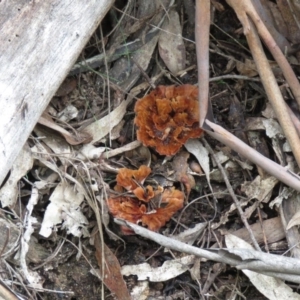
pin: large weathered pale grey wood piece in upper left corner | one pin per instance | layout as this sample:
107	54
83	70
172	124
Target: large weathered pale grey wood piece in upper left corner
39	43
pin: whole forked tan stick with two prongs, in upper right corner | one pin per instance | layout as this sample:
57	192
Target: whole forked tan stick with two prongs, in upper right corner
247	14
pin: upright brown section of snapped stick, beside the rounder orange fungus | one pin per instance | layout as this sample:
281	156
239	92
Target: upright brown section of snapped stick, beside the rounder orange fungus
202	42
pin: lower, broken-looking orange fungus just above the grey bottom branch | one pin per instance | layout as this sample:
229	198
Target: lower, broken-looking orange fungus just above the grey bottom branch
137	209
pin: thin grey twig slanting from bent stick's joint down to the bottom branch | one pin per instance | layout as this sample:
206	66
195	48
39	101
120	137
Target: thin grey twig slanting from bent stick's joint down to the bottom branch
232	194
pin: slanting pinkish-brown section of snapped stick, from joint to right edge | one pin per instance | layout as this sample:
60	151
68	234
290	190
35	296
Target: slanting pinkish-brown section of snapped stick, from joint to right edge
268	165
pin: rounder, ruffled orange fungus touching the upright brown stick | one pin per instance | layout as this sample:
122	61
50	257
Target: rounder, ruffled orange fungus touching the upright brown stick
167	117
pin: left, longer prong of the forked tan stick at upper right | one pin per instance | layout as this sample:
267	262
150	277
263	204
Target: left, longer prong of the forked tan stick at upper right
272	90
